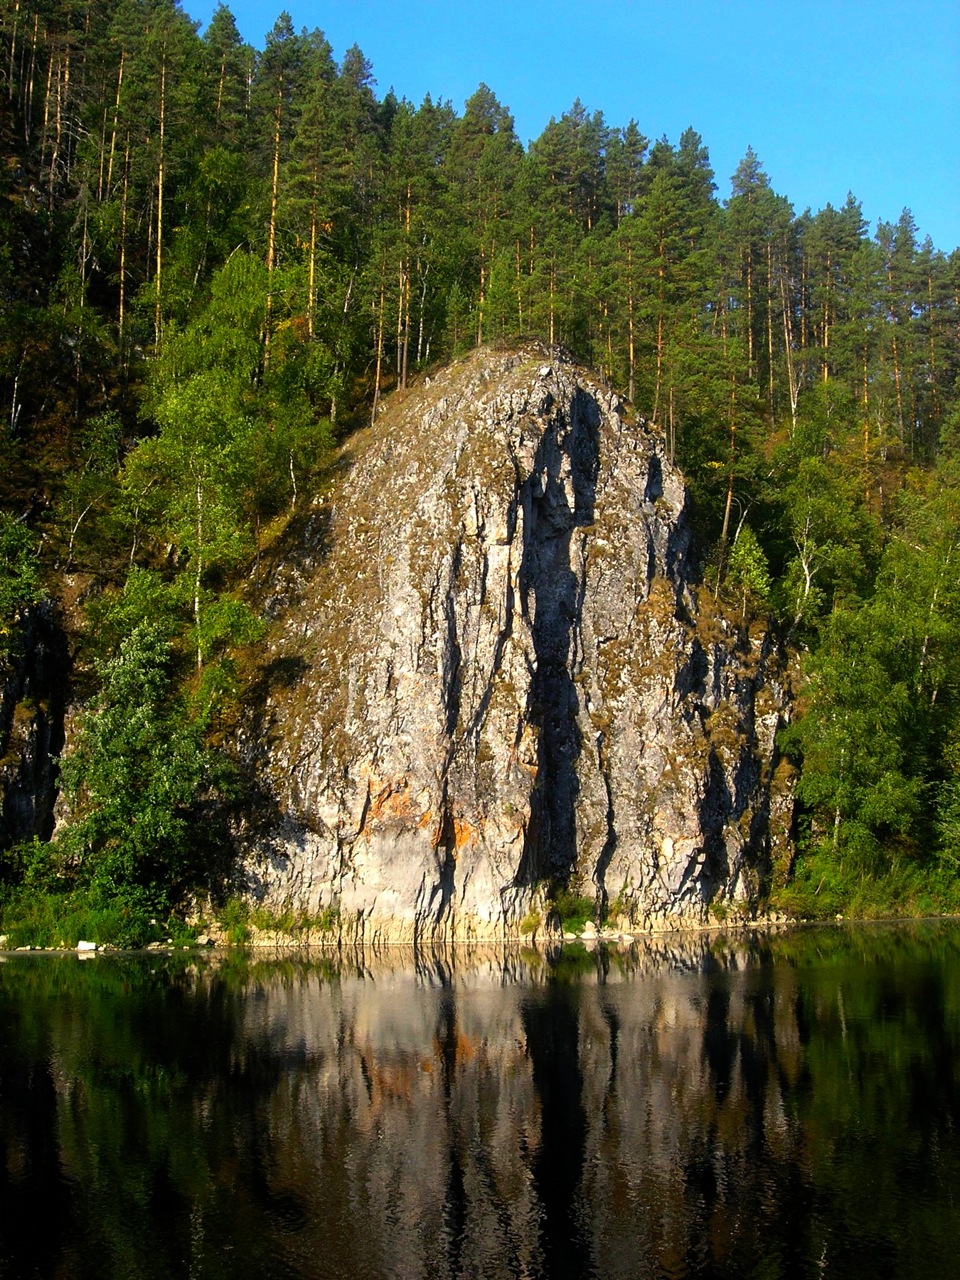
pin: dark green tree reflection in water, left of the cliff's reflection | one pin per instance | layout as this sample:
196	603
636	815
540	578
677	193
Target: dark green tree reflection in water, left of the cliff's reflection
135	1067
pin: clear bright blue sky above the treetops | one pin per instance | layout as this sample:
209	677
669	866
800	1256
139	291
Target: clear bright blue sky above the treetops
833	97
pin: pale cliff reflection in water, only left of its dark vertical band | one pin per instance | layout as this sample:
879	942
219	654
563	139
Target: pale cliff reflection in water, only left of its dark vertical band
412	1130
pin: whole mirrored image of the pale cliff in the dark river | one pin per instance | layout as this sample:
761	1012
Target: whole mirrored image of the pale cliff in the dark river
557	1130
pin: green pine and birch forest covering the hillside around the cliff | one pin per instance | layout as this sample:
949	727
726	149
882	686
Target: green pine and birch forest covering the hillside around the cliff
216	262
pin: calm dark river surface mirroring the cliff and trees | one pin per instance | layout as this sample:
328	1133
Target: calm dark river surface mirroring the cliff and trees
760	1107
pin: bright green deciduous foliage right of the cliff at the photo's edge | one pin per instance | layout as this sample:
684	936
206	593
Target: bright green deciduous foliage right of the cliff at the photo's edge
881	716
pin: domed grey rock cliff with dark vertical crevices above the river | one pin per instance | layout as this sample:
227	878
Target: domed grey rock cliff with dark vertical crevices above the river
492	675
